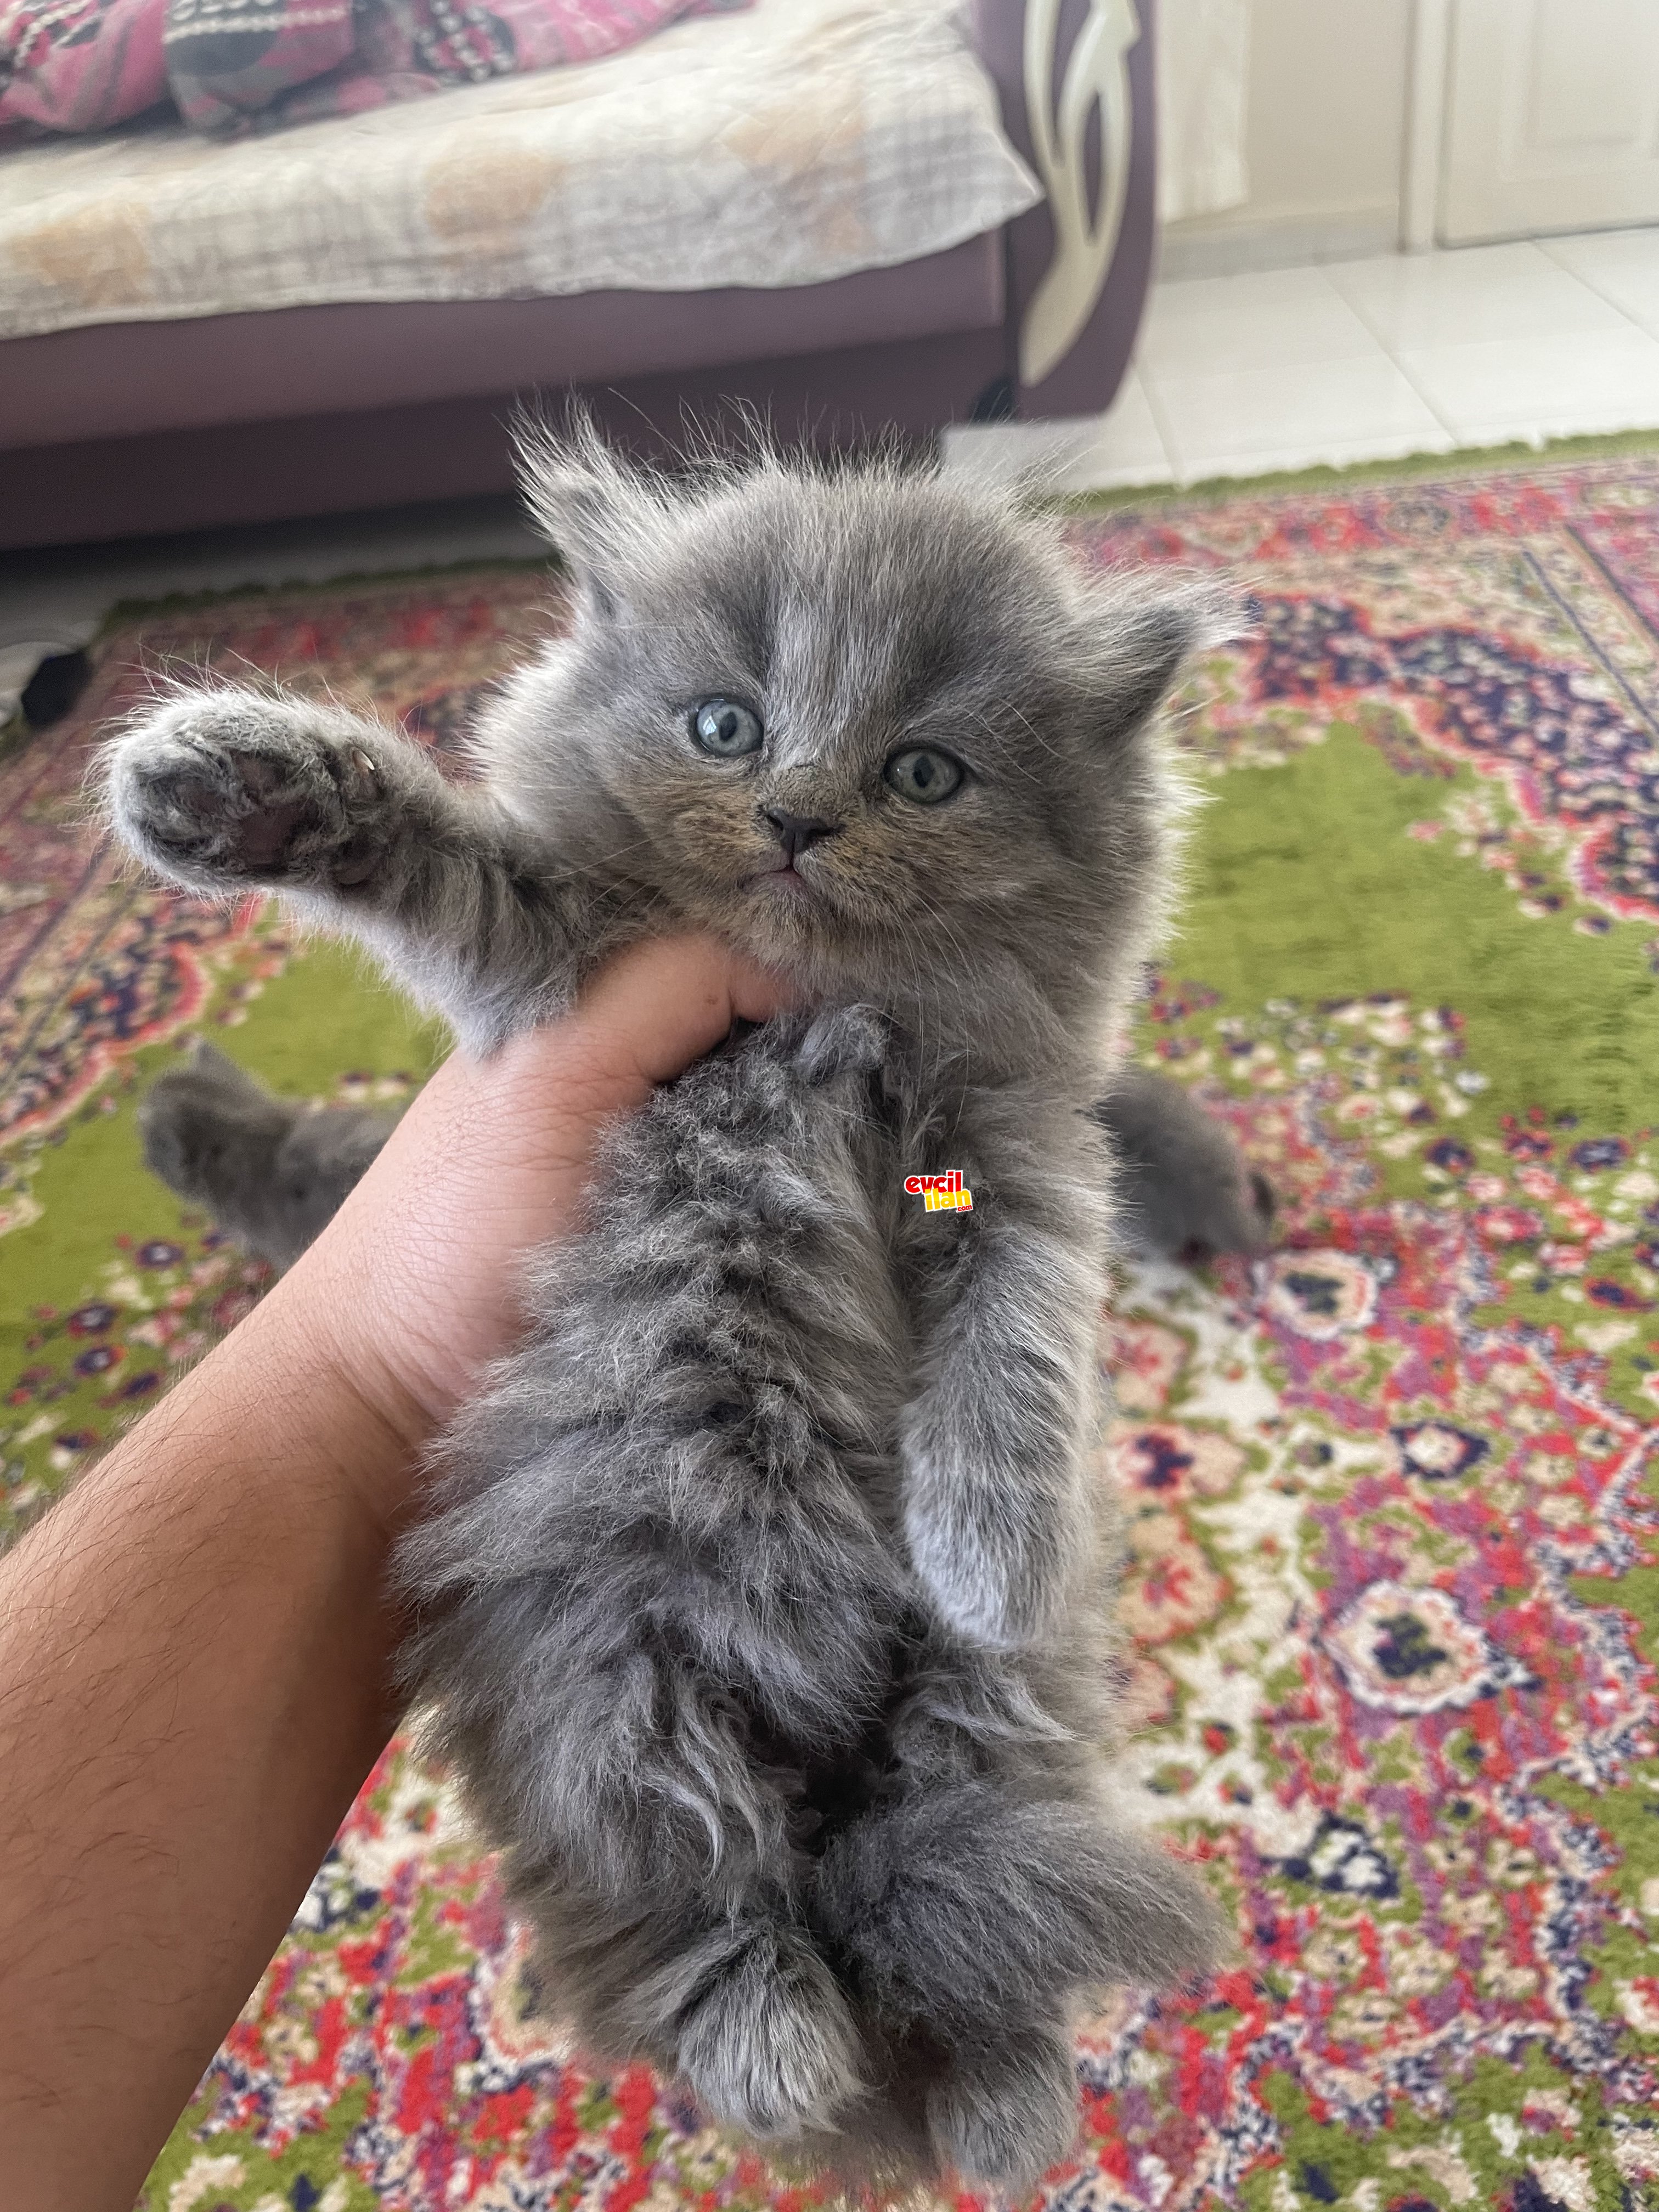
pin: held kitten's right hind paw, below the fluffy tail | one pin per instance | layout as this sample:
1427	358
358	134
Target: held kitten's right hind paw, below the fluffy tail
1001	2120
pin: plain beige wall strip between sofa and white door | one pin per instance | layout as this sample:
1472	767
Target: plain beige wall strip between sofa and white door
1324	140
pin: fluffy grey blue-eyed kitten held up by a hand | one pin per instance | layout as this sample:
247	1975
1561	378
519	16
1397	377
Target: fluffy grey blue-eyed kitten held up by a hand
760	1603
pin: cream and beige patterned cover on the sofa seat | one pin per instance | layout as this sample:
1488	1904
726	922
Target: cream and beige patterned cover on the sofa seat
784	147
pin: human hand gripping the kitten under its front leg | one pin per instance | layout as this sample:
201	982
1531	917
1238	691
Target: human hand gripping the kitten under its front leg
415	1284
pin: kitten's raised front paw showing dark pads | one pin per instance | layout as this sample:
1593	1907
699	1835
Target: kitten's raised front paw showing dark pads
227	789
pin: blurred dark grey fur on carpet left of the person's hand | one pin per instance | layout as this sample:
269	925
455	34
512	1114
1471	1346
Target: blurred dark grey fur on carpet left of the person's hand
271	1173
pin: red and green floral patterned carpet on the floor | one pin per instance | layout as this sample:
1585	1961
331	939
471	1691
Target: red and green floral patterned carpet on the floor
1397	1569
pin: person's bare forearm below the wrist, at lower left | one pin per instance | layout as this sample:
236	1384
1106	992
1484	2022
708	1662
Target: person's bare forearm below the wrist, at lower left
194	1653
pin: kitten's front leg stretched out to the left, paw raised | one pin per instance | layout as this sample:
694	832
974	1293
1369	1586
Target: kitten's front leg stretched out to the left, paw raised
229	791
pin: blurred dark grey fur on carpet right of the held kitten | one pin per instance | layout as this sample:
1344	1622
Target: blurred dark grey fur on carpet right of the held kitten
1182	1187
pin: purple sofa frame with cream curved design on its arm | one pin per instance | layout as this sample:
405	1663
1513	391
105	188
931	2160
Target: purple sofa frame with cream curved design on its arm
138	428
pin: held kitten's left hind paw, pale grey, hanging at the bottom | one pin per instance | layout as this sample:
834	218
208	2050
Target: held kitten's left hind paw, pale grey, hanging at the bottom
771	2047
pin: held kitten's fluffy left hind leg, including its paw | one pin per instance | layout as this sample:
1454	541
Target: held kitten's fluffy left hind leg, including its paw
649	1850
